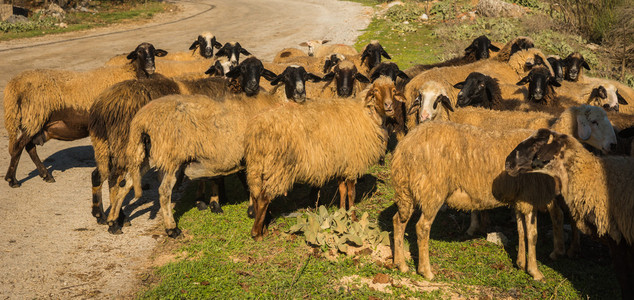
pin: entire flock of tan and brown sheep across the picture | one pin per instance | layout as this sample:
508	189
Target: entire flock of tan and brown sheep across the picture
466	131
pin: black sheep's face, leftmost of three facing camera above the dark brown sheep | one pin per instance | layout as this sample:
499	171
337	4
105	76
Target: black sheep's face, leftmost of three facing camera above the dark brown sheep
248	75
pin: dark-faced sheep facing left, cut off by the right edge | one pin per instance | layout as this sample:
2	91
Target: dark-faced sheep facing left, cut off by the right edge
596	189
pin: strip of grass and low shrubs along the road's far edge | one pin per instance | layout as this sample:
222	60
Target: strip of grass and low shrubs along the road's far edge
97	13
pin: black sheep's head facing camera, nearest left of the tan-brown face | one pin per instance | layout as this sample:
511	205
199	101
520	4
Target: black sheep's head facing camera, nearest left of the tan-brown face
348	81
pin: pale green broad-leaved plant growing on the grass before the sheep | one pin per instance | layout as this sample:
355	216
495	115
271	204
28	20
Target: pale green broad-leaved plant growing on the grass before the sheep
338	230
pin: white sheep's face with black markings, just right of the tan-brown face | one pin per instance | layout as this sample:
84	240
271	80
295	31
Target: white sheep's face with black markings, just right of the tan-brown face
429	102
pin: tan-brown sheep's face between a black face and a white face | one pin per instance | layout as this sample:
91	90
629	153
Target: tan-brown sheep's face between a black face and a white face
386	96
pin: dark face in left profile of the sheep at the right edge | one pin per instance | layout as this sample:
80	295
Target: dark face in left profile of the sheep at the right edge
542	152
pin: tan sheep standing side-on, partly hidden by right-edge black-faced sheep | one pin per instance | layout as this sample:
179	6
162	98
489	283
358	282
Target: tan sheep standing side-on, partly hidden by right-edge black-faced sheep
473	178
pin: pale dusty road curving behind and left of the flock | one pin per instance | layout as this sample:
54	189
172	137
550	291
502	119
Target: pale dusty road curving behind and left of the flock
51	246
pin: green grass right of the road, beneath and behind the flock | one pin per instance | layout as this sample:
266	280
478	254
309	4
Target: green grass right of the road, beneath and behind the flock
217	258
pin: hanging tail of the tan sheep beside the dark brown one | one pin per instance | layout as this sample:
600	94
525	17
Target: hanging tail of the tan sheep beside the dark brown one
138	152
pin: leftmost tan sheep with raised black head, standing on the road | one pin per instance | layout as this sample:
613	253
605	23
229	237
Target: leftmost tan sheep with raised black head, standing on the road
58	107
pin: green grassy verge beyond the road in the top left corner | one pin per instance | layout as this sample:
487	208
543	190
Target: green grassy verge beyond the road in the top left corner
108	14
